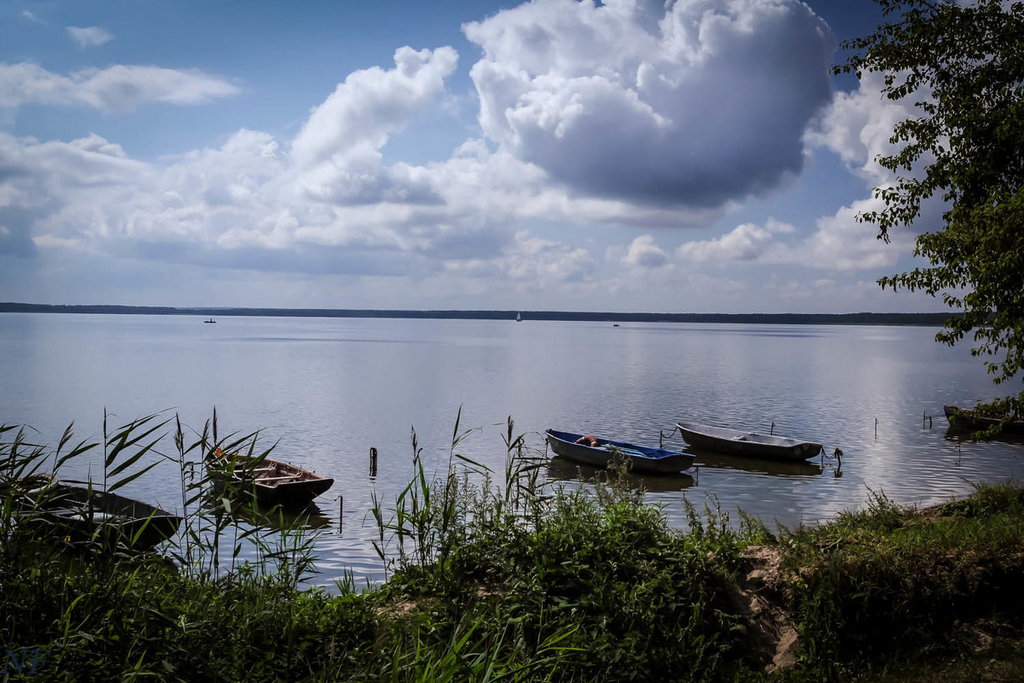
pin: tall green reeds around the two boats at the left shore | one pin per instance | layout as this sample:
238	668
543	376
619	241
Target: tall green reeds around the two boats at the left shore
217	515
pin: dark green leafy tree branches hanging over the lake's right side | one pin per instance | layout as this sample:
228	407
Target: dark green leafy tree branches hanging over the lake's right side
963	67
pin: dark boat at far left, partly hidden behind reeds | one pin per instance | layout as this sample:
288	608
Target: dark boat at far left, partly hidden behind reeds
81	515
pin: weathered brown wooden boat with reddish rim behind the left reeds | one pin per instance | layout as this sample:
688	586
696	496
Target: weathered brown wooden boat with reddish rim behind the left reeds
272	482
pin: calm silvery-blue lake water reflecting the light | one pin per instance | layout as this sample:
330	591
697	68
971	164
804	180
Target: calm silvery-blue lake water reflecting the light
332	389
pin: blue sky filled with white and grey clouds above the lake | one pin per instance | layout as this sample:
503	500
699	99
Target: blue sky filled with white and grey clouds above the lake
695	156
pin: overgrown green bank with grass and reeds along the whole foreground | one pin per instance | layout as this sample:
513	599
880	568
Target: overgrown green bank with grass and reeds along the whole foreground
493	577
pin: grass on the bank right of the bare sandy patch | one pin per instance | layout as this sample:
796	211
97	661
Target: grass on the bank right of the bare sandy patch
887	583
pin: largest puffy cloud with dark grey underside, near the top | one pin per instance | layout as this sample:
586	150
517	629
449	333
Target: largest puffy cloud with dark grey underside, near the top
692	105
